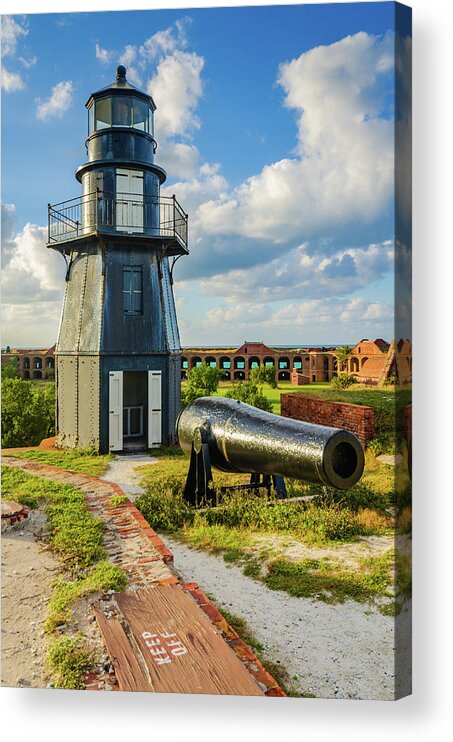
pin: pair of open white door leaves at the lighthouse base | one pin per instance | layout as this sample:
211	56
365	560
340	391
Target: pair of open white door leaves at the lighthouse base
116	409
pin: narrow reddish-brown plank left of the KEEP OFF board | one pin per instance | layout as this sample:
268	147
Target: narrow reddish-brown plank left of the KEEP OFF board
128	672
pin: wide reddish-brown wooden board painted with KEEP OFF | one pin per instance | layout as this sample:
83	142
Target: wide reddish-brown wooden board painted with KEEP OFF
183	651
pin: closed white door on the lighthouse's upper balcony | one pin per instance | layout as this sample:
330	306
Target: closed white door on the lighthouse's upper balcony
129	200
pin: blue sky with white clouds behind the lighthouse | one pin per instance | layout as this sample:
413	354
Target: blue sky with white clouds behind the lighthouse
275	125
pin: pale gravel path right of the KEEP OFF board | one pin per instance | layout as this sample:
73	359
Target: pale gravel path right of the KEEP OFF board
333	651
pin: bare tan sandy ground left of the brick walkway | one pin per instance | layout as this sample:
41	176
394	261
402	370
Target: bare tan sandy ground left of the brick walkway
27	573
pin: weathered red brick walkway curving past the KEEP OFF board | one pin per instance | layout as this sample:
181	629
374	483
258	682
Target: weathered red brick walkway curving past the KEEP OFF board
135	547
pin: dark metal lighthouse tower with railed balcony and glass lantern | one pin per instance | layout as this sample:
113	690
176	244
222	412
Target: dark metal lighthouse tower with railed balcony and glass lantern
118	356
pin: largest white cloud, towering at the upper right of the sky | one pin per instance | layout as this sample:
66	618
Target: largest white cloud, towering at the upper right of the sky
343	169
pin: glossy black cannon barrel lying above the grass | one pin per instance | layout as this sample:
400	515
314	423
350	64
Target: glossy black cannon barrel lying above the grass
244	439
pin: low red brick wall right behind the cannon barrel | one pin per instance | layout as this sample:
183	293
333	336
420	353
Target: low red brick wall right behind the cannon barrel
358	419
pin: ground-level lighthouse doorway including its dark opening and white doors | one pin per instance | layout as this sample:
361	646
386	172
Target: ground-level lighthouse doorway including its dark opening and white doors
135	410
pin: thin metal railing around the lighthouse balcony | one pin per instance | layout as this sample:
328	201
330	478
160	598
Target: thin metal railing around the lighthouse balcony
160	217
